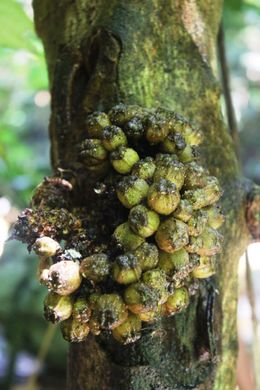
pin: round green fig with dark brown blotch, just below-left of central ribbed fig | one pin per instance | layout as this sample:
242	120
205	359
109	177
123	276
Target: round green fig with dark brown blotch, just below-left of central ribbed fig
143	221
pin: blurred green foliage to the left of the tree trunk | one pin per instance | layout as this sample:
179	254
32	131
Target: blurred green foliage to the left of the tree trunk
24	161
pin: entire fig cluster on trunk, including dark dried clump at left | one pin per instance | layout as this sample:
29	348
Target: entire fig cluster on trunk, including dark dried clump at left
167	195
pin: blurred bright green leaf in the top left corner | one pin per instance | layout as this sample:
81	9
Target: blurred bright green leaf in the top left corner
16	28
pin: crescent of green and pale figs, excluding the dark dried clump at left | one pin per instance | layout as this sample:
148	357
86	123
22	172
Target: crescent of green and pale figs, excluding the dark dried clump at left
168	242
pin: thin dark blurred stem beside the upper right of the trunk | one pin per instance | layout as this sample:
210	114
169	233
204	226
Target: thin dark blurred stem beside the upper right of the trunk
226	89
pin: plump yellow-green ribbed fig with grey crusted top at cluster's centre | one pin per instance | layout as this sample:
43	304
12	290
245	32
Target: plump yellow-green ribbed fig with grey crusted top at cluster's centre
163	197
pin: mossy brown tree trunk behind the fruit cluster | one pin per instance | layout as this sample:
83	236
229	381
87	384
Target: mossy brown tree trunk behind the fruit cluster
151	53
